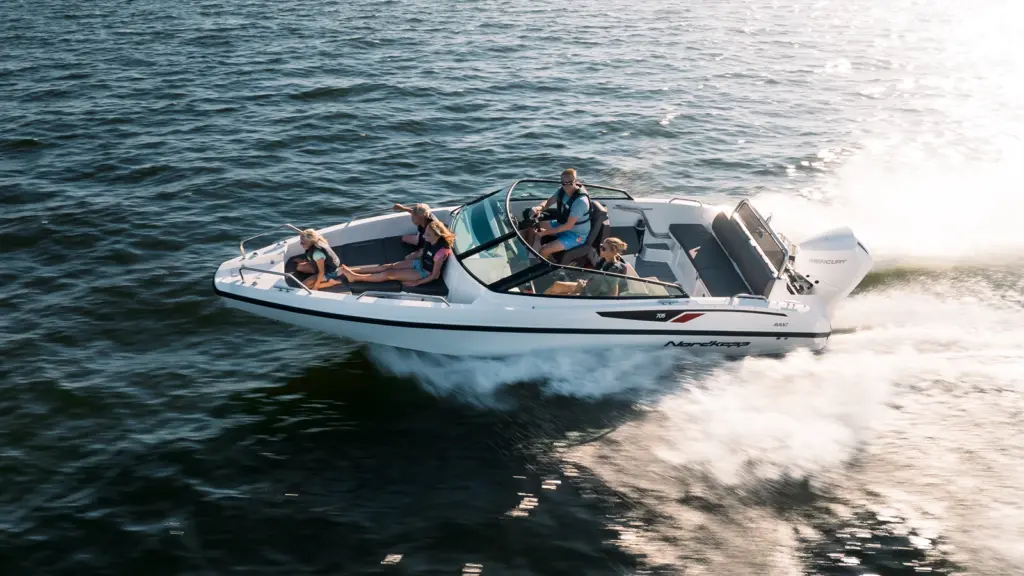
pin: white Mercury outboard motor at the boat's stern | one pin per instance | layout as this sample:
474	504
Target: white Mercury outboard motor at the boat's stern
833	263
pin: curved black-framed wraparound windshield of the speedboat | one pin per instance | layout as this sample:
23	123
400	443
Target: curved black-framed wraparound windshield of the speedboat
543	266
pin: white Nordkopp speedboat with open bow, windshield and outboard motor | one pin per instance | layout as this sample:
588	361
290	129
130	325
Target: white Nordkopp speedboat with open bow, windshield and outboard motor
700	277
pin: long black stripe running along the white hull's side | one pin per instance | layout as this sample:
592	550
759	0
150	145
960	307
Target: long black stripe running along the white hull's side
518	330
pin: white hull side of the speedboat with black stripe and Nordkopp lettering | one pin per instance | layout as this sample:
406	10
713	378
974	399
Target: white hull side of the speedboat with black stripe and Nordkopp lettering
535	332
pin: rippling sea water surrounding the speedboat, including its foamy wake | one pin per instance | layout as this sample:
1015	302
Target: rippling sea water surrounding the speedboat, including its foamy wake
146	429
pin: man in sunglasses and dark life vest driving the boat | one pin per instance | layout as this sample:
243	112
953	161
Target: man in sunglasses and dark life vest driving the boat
571	225
